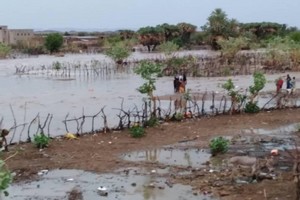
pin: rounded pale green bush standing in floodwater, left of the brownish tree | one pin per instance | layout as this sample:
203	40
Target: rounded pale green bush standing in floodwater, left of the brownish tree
118	52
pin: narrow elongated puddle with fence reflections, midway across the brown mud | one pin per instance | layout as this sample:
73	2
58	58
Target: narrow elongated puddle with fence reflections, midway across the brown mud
189	157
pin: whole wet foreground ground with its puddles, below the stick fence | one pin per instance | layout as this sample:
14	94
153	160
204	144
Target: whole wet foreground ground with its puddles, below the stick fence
170	154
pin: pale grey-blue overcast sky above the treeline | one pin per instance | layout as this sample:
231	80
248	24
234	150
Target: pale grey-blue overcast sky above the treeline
134	14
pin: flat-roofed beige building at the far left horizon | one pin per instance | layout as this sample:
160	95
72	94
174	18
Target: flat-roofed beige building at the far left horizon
13	36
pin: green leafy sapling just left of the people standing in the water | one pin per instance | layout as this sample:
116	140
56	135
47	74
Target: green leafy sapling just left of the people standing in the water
148	71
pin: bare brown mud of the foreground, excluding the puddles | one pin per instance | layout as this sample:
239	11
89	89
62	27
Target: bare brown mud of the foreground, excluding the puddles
101	153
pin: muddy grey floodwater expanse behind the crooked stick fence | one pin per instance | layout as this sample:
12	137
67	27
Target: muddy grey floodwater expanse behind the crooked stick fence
49	94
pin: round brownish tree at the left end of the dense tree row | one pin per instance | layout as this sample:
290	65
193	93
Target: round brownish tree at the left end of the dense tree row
151	37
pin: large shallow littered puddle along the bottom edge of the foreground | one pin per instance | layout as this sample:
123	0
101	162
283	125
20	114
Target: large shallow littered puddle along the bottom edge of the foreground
129	184
